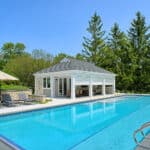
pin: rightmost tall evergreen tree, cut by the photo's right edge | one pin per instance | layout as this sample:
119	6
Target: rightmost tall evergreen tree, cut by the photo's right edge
139	36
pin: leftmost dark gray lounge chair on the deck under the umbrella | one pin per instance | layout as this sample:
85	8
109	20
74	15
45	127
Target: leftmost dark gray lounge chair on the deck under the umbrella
7	100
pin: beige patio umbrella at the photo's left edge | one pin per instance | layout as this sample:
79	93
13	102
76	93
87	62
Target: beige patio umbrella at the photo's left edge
3	77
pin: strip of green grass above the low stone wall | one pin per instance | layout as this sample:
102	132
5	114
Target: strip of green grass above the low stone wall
13	87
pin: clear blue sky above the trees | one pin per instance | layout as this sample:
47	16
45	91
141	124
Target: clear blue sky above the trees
59	25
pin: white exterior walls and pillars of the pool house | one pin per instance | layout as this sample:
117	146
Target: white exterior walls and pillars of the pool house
77	78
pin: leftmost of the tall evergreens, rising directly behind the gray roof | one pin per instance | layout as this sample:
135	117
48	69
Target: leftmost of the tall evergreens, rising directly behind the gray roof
93	45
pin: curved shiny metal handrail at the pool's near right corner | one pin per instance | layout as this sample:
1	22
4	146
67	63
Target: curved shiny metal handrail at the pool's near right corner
145	125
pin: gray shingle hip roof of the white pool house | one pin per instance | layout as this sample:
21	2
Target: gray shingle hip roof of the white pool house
73	64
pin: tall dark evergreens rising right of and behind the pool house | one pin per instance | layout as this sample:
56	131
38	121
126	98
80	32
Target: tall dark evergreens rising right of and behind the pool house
125	54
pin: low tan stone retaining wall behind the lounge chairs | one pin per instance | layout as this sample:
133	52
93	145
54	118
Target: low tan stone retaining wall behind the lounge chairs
14	94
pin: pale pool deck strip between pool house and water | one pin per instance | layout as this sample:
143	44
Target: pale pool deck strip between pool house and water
56	102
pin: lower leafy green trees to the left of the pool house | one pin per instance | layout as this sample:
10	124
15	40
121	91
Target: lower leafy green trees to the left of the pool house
15	60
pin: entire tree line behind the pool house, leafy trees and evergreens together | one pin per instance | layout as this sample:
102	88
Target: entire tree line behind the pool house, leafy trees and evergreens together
127	54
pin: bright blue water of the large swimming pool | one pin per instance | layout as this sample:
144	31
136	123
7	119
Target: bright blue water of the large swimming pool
92	126
